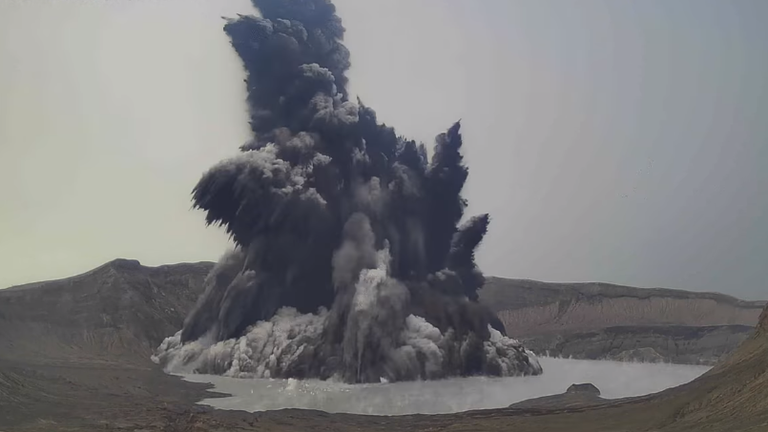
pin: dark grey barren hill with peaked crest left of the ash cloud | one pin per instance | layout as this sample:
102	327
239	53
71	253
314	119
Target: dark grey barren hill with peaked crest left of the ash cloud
118	310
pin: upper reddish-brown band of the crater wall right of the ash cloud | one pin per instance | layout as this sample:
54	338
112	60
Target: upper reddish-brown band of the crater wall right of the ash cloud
531	308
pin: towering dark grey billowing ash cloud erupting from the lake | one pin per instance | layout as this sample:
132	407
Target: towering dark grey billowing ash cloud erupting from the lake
349	263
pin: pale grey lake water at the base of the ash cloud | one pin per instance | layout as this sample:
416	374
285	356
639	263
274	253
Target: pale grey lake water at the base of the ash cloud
614	379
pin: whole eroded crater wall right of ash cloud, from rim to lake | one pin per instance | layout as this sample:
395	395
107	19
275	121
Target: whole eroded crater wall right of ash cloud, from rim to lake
600	321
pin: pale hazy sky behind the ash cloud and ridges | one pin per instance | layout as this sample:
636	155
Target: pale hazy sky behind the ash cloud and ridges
611	140
